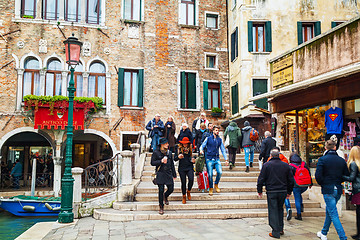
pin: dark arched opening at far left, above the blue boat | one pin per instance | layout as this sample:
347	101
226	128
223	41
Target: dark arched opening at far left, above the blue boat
23	145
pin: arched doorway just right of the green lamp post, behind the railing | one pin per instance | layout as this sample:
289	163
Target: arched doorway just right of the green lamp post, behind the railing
89	147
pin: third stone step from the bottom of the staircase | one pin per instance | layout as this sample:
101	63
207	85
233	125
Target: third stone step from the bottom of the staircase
204	196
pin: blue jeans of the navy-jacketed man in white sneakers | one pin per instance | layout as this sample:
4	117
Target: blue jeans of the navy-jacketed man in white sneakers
332	215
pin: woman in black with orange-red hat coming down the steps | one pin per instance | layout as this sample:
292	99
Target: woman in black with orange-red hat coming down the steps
186	166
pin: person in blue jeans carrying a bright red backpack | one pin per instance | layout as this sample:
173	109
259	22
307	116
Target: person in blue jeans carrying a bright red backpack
303	180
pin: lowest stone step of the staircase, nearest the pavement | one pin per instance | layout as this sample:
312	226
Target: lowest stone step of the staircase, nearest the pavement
110	214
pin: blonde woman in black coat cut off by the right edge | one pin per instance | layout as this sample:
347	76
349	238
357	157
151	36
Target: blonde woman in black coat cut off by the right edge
354	167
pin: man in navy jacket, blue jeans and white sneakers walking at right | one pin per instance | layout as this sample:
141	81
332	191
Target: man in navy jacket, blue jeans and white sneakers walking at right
329	174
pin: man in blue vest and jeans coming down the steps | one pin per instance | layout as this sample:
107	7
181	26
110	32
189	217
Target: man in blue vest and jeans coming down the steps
212	144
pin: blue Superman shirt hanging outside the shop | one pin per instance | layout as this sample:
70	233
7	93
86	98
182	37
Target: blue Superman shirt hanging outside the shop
334	120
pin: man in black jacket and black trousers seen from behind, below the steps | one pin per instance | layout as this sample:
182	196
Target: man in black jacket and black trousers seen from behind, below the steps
279	181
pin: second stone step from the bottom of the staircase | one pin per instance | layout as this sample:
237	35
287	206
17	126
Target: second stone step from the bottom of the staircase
202	205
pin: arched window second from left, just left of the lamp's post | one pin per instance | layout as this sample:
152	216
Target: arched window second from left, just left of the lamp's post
53	78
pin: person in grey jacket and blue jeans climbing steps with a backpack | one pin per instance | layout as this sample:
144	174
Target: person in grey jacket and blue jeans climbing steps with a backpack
249	137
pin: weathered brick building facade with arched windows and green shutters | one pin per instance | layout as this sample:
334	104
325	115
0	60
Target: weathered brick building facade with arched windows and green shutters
141	56
